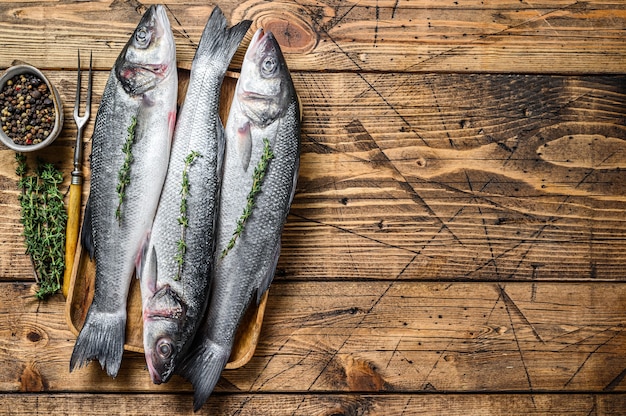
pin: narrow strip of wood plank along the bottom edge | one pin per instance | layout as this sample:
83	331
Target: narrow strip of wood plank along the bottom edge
323	404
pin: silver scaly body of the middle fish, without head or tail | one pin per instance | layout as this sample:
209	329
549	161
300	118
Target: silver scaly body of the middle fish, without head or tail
197	131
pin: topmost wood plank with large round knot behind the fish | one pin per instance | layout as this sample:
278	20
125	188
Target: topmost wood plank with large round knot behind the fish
395	36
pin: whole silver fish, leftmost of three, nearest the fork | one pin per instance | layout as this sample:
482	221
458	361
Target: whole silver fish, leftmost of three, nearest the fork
130	153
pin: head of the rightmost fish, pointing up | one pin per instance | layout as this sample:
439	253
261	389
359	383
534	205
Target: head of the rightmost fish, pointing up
264	90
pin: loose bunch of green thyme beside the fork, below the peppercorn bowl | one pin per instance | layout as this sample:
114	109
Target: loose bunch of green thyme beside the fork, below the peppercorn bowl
44	219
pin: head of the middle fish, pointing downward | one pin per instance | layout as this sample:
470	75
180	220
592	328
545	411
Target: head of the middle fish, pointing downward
164	316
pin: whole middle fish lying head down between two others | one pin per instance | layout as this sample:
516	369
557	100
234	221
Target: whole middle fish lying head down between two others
179	258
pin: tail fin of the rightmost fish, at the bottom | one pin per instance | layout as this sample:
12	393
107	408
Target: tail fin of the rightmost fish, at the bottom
202	368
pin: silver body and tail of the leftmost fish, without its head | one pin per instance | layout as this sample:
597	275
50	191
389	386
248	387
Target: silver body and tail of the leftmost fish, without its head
115	242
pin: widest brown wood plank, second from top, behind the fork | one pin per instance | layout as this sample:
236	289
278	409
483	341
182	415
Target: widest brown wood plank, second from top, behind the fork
432	177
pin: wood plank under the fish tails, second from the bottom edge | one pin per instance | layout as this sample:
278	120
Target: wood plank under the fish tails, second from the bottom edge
393	336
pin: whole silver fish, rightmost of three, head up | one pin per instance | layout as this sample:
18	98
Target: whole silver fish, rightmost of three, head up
262	139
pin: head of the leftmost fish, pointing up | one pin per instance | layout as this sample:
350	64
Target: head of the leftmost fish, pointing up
149	55
